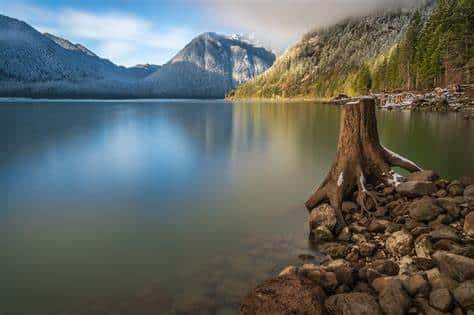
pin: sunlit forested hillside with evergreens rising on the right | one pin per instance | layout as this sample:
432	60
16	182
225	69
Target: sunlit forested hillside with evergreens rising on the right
416	49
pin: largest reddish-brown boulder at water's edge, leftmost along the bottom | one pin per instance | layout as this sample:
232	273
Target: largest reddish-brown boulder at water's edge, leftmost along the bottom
284	295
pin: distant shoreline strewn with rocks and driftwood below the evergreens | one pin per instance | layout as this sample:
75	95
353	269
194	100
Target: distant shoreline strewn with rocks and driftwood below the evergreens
456	98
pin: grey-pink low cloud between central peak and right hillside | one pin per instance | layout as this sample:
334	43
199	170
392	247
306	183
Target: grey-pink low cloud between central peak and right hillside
283	21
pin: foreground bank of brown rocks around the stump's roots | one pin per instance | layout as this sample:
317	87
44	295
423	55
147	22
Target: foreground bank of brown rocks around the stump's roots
413	253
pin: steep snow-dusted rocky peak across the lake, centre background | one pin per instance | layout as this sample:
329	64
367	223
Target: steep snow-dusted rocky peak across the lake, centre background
210	66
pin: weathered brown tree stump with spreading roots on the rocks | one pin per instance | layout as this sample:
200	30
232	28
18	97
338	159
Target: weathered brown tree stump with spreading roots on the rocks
360	159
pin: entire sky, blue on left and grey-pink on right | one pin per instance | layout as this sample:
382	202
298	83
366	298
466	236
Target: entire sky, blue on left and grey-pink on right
130	32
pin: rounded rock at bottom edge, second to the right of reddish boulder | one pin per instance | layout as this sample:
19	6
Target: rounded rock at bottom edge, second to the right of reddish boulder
393	299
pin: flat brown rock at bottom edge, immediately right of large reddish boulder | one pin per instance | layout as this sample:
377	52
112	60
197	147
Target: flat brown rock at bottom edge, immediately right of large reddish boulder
353	304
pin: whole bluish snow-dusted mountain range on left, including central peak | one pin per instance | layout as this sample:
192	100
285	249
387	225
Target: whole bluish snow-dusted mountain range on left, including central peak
44	65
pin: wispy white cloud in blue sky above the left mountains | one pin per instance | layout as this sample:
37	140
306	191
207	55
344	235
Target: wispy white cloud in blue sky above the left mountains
118	36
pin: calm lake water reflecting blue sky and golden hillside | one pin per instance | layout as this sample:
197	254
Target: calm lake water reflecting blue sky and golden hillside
129	207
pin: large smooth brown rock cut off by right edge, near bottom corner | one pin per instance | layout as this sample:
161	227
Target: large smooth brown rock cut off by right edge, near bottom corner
457	267
